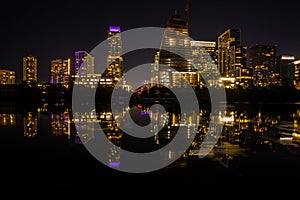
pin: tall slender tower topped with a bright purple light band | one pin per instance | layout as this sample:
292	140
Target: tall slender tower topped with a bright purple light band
114	70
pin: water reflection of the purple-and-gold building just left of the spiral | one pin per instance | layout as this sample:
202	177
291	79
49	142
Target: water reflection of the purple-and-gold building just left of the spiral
60	124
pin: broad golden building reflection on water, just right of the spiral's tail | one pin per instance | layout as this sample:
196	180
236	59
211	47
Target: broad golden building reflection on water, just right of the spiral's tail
246	134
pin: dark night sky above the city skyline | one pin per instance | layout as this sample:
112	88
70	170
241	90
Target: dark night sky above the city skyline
56	29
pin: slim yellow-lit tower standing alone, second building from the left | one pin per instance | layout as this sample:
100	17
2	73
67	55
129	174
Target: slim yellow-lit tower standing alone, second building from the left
29	69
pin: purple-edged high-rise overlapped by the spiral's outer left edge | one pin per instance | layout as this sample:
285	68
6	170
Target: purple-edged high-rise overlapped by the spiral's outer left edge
84	63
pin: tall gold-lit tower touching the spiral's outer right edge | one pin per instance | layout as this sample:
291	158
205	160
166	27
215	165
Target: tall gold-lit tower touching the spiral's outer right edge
231	54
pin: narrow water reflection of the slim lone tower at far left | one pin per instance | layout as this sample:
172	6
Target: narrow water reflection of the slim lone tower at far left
30	125
